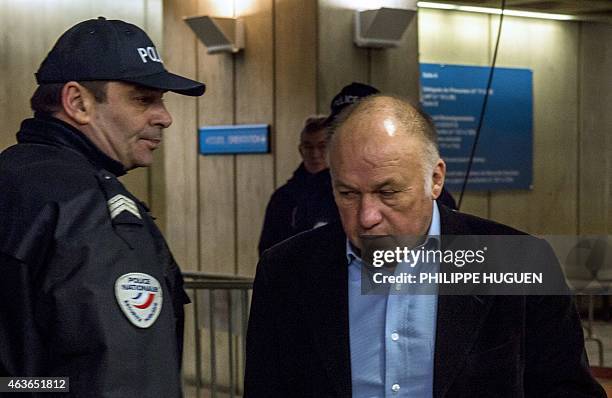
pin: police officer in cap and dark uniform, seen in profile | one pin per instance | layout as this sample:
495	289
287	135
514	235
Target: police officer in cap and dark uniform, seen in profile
88	287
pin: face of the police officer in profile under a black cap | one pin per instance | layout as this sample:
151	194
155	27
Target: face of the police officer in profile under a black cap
129	124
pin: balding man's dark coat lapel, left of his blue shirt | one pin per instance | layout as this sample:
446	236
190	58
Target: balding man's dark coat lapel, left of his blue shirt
327	302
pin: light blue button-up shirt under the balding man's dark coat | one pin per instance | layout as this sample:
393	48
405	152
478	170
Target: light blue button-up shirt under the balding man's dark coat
392	336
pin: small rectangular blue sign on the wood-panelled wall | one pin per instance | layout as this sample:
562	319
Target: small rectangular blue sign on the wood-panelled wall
241	138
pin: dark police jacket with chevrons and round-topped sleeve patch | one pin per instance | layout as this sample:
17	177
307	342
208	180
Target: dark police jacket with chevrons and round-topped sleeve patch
88	287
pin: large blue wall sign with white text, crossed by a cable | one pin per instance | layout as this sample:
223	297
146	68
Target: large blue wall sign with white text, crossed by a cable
453	95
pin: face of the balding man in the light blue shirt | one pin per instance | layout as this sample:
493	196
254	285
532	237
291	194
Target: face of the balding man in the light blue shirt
381	182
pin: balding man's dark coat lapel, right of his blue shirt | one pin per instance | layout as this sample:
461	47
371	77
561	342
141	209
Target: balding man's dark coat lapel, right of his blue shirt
458	321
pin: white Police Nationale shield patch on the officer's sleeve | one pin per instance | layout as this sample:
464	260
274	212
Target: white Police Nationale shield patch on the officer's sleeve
139	297
